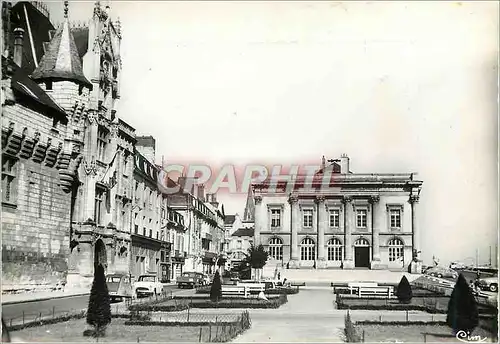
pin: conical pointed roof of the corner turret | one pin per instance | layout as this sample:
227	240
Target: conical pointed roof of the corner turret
61	60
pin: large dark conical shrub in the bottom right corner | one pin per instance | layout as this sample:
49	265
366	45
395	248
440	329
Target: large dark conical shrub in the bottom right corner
462	312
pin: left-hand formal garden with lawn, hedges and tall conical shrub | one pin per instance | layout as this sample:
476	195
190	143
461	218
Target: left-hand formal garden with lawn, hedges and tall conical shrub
165	318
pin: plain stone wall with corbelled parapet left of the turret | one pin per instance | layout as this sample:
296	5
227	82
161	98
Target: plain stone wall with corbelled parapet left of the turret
35	221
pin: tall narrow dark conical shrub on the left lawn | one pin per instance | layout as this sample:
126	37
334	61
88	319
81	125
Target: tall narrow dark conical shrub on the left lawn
99	310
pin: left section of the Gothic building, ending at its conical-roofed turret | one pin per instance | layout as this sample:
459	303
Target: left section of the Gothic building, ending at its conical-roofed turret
44	107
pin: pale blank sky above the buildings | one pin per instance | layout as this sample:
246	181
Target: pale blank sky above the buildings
399	87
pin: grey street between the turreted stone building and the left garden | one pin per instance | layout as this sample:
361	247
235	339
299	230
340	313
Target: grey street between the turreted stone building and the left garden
31	310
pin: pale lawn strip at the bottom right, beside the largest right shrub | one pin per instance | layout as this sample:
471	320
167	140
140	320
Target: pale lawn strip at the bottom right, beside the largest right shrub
413	334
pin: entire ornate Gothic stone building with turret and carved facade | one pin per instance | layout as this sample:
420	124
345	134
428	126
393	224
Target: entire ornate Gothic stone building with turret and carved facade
71	138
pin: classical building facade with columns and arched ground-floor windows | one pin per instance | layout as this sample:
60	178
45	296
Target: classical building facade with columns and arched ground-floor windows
360	221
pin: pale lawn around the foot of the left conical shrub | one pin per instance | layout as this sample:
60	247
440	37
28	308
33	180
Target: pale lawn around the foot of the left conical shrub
72	331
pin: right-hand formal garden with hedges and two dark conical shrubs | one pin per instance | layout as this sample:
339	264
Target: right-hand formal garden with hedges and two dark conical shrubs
419	314
